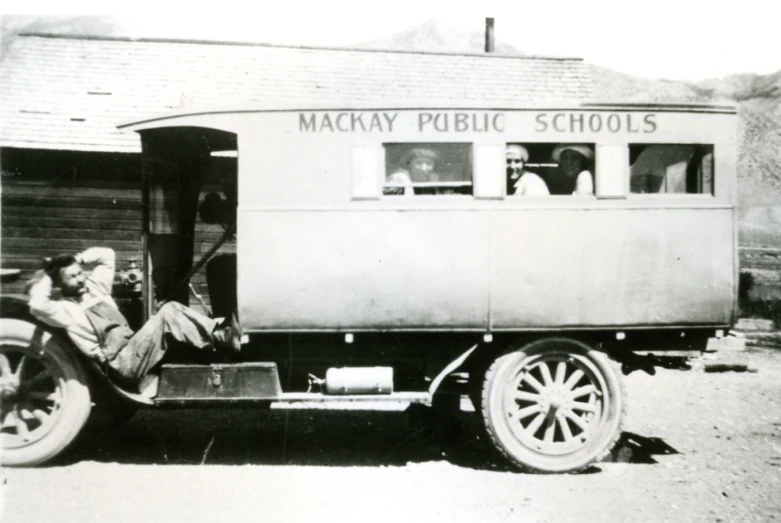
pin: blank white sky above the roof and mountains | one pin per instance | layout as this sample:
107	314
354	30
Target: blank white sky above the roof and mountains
677	40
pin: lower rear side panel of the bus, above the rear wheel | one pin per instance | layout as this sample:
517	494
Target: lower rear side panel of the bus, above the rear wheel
620	267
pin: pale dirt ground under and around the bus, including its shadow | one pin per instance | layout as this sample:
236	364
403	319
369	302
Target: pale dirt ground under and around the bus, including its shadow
696	447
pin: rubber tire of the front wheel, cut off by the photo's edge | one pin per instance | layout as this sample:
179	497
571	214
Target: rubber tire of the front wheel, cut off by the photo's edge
76	403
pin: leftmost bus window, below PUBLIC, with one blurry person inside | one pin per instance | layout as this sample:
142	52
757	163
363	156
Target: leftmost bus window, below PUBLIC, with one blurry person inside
428	169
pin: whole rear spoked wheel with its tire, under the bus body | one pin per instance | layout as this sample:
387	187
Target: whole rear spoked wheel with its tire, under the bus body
554	405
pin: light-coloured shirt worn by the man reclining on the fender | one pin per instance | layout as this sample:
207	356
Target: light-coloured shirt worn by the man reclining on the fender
68	313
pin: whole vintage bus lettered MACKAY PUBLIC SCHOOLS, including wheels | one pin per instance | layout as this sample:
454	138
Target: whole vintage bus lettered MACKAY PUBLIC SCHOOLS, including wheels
403	254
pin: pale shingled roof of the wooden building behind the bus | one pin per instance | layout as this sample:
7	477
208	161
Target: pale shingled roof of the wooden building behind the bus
71	92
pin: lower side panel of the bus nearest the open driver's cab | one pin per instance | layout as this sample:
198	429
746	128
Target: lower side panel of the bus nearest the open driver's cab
341	270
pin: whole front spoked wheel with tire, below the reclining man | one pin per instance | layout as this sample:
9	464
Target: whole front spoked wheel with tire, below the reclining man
44	400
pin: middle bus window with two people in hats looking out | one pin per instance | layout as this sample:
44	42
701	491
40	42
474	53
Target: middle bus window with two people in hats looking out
550	169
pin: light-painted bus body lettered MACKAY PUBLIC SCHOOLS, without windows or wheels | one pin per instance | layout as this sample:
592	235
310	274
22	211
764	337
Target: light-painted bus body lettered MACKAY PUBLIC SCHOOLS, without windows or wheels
320	249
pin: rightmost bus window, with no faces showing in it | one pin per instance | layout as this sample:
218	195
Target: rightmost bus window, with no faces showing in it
671	169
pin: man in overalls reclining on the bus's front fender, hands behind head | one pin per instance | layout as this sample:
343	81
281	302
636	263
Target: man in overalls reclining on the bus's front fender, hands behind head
93	322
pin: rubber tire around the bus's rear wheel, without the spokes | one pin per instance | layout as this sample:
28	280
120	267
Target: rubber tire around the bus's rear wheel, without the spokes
527	459
